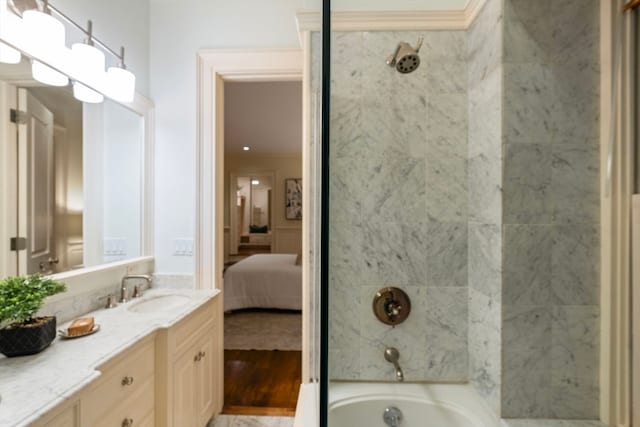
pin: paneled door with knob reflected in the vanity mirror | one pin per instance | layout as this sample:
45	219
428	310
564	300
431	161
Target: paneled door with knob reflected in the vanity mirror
36	173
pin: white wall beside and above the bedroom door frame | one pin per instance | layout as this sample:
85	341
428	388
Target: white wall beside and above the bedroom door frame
179	28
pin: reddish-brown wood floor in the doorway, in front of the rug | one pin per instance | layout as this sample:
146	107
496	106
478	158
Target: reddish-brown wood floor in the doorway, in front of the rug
258	382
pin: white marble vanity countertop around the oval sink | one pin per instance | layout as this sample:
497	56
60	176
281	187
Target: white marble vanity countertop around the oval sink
30	386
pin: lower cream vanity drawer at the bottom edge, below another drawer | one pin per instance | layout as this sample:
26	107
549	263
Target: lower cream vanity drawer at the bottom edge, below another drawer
136	409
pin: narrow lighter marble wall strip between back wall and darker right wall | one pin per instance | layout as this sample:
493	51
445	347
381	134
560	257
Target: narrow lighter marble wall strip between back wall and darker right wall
485	202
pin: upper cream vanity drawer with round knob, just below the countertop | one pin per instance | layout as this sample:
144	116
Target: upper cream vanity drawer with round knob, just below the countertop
121	379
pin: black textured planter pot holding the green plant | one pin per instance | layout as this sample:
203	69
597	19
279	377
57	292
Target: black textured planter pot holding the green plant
25	340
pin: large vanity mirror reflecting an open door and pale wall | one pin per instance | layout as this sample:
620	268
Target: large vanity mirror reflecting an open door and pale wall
72	178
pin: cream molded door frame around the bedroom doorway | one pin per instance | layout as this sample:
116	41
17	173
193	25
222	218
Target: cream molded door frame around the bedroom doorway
214	68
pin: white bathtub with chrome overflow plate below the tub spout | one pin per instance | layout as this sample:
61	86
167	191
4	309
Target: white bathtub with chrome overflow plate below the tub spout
422	405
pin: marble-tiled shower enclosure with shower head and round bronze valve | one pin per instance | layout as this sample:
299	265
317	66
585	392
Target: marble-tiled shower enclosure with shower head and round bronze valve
465	170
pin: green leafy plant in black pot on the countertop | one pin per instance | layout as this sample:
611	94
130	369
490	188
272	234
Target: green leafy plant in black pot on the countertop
20	299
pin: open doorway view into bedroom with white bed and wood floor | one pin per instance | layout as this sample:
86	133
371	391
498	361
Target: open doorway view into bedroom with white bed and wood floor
263	247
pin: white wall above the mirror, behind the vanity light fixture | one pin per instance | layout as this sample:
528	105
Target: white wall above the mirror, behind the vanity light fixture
116	23
